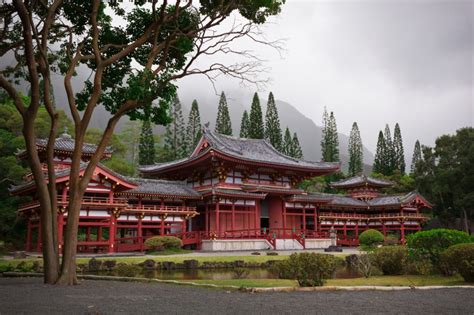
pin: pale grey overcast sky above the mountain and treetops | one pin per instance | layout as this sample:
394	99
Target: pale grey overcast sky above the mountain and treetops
373	62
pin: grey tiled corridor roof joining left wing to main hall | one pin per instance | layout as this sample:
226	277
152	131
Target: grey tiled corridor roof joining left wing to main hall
161	187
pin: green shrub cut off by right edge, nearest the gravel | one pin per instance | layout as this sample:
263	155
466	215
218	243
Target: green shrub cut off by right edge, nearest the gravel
460	258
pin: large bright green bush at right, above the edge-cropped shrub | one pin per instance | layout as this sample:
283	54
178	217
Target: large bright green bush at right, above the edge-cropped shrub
431	244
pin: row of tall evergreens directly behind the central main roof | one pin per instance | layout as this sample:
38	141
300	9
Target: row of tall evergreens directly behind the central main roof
181	138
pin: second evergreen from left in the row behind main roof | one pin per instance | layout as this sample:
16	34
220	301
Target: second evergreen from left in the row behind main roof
175	136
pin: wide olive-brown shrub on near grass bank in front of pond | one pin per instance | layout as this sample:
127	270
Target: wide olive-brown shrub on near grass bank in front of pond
309	269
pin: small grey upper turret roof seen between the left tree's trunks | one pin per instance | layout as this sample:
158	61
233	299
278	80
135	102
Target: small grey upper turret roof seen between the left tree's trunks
65	144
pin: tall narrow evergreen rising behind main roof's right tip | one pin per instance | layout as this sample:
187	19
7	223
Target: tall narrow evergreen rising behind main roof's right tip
330	138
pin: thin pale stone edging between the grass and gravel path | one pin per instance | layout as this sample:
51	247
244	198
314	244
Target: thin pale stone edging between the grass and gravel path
250	289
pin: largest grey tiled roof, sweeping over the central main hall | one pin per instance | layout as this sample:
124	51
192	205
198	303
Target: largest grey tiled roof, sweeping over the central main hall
243	149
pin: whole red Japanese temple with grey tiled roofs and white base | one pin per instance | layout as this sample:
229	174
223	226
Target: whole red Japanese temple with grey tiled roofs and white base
229	194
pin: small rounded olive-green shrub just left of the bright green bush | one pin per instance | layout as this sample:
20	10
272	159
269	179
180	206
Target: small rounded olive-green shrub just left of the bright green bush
391	259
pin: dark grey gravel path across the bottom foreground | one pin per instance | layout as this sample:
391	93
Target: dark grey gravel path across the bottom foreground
29	295
